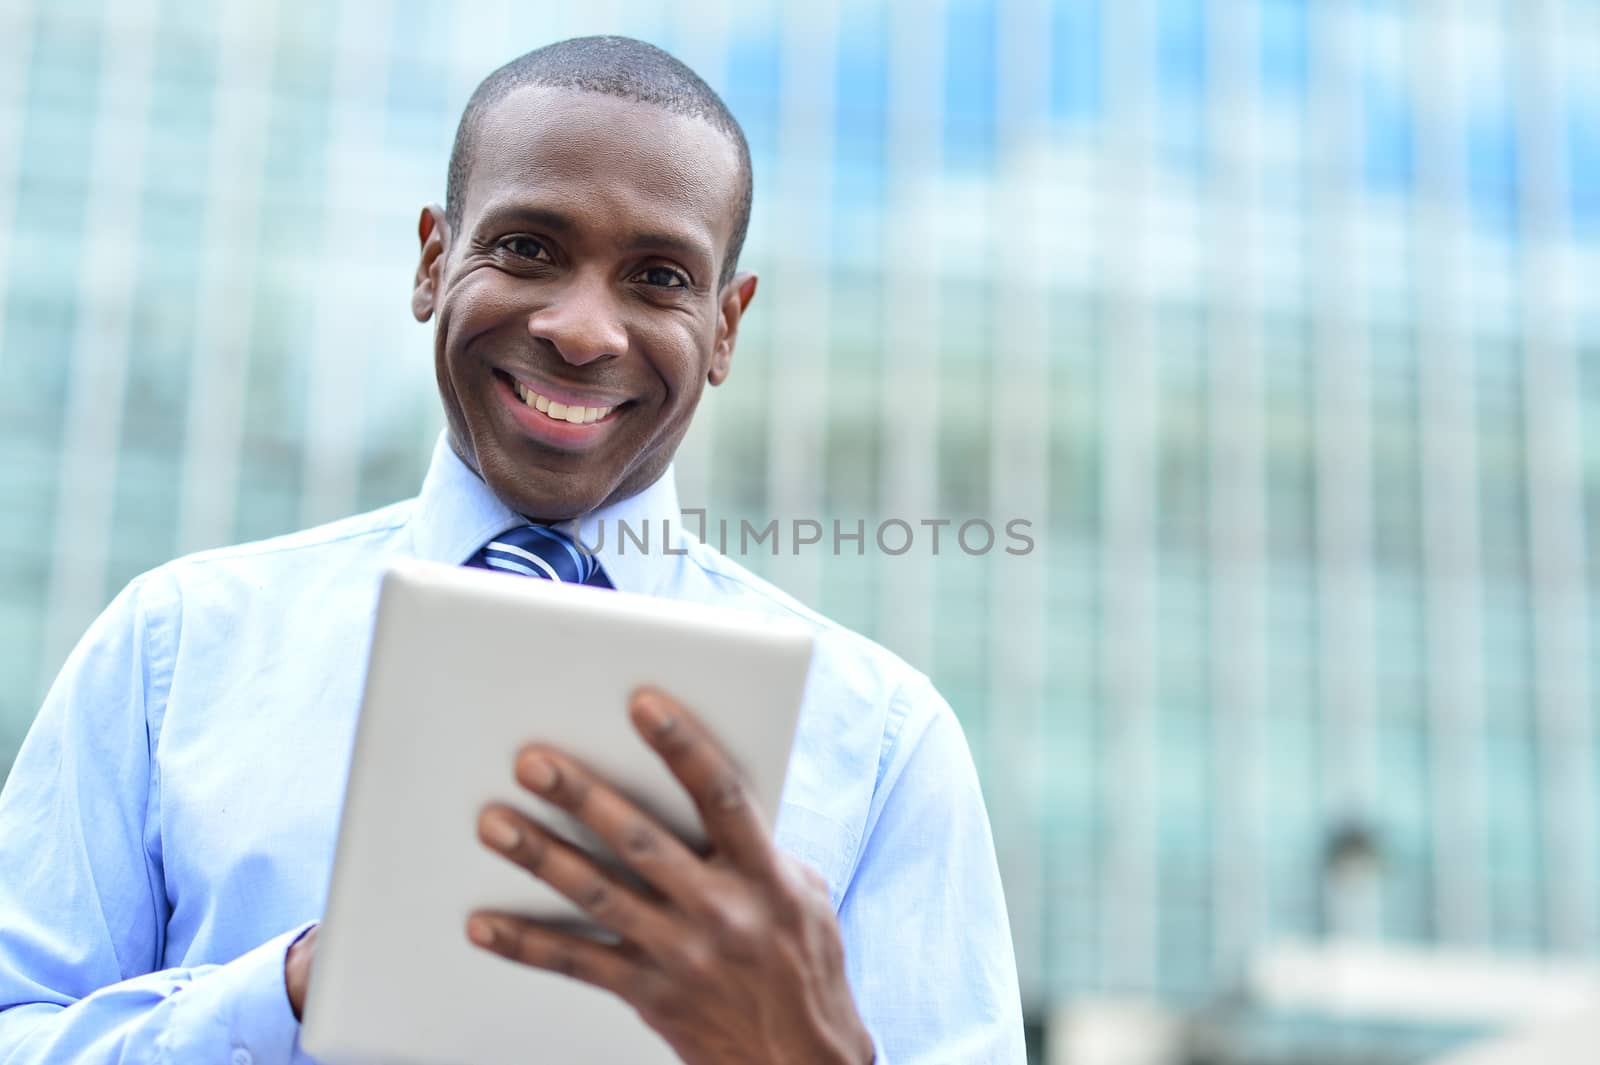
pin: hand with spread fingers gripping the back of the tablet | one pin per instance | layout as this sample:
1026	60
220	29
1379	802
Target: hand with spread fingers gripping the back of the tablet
734	959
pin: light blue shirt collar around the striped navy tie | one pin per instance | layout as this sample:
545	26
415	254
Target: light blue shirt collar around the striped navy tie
457	514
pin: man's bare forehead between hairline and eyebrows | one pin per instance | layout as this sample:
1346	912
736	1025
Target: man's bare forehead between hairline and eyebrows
609	164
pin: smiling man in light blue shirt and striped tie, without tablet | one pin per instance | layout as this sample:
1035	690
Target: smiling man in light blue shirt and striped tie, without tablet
167	832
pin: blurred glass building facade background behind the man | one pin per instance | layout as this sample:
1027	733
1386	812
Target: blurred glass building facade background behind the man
1274	317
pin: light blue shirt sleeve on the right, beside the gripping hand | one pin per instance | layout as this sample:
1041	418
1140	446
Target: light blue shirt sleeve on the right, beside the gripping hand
927	938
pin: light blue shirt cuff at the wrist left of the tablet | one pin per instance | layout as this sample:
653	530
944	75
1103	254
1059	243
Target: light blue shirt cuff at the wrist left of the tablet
254	1003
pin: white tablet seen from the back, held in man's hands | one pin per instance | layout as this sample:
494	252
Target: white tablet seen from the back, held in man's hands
466	668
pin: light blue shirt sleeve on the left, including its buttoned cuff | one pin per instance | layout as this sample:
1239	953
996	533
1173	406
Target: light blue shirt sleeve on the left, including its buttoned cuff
82	901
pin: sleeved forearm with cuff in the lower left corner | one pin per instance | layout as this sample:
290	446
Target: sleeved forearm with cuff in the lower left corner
201	1016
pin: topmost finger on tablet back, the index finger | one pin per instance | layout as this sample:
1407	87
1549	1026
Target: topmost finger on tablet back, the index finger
713	781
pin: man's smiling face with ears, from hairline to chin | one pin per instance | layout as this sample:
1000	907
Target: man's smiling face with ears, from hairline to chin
580	316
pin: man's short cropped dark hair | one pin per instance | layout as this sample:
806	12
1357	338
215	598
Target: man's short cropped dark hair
612	66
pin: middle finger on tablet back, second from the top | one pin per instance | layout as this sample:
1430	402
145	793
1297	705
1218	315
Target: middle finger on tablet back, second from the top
658	856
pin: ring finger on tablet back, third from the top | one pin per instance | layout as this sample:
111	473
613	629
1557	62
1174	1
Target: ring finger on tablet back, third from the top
575	876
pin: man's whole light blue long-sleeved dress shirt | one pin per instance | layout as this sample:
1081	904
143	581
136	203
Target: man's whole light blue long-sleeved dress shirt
169	826
